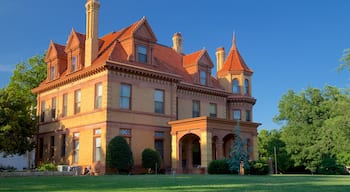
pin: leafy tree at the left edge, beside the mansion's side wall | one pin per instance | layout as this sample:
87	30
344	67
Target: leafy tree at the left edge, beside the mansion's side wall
18	107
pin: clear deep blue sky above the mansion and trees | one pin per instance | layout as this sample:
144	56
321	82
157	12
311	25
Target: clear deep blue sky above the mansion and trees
289	44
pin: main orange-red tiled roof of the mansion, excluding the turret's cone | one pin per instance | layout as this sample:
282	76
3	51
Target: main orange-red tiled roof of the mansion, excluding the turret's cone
165	60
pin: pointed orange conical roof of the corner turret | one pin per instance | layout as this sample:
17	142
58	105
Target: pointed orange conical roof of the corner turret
234	61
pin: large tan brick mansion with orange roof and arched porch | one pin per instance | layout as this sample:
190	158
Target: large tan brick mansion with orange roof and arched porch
125	83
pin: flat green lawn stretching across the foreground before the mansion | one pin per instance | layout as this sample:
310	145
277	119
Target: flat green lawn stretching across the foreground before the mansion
181	183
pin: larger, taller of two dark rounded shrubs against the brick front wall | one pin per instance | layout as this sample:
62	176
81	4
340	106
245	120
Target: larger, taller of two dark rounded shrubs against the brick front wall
119	155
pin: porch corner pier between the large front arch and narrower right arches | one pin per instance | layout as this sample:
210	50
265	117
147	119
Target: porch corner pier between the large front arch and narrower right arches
206	150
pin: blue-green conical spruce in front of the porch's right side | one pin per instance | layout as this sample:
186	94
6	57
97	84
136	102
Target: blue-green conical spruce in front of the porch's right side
237	153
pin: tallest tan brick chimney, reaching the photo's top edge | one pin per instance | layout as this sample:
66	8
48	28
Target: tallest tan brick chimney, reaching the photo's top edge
91	41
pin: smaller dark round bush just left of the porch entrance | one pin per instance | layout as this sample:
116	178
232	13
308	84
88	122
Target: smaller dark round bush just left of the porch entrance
151	158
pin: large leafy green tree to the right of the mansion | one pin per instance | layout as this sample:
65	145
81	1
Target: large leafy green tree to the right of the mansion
315	127
